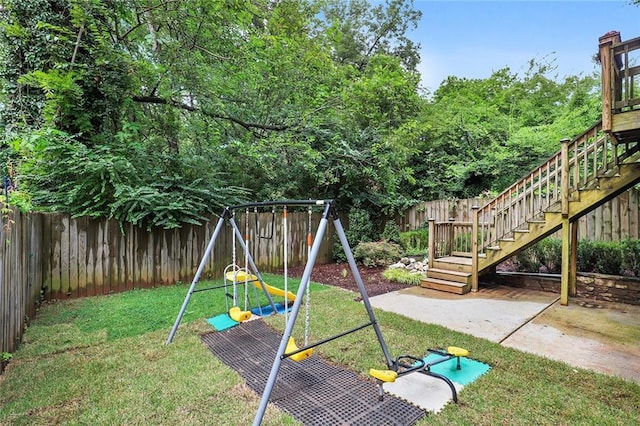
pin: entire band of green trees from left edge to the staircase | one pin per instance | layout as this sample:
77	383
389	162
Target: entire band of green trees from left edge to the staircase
159	114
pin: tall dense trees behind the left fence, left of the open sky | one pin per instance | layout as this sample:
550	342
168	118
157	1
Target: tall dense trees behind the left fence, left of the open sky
160	111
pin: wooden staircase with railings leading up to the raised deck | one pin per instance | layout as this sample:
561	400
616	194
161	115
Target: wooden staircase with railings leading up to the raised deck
587	172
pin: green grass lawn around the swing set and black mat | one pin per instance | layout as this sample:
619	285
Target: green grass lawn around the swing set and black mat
102	360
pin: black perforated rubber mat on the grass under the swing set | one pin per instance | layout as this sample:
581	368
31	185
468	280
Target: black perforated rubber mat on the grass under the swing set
313	391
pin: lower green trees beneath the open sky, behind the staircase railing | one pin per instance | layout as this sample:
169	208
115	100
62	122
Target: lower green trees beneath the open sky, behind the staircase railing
479	136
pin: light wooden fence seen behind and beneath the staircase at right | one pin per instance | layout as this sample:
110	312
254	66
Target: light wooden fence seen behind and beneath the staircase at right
615	220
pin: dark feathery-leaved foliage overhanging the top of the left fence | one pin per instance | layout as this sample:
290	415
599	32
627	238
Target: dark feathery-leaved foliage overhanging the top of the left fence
118	181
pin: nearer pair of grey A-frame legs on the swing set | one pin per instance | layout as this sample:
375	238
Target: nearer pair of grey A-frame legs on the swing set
306	276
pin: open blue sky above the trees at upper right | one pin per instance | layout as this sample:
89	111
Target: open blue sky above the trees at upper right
471	39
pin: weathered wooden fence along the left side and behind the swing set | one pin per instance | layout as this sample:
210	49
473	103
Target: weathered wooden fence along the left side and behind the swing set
53	256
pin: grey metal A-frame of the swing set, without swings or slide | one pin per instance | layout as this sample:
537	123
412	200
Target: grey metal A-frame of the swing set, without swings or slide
329	213
